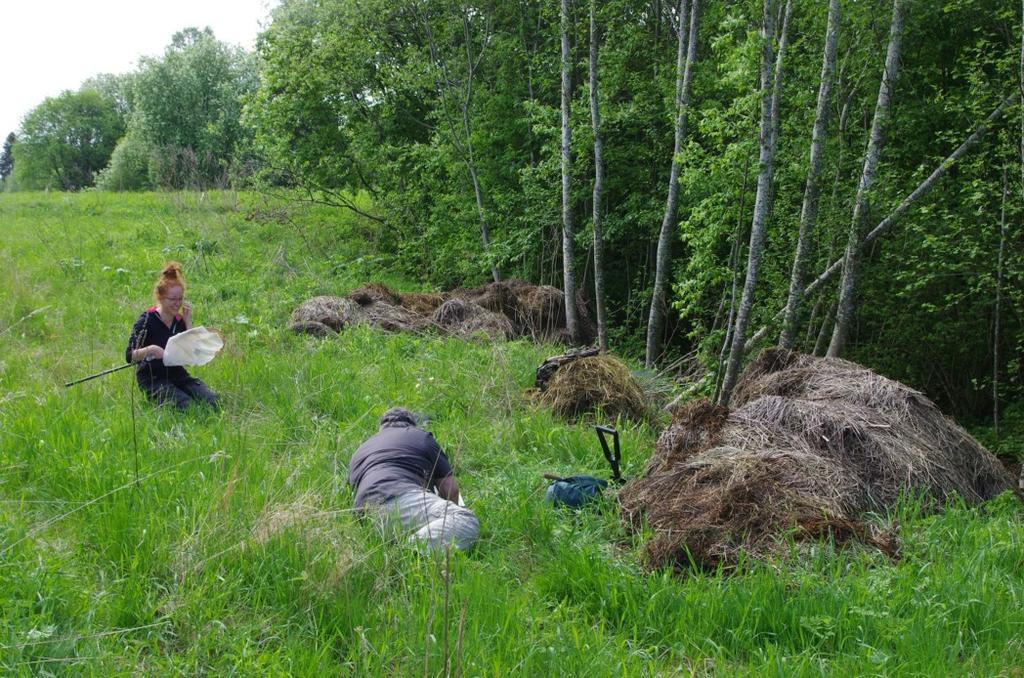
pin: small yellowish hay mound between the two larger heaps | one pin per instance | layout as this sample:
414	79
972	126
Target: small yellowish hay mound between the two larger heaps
596	384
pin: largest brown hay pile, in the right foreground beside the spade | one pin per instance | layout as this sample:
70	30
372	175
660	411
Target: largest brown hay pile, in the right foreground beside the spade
812	447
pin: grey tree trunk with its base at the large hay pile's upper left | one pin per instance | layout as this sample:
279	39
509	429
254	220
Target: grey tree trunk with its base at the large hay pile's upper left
761	202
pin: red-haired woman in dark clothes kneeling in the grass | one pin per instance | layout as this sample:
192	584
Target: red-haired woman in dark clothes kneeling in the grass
172	316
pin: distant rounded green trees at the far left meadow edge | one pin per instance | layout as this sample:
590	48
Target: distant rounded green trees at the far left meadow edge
175	123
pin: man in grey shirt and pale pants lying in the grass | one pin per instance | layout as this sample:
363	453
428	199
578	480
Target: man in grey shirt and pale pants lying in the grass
394	474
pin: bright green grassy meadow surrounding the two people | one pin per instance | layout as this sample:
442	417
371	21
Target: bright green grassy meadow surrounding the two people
142	541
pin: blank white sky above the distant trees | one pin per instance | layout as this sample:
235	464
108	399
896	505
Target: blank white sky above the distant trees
53	46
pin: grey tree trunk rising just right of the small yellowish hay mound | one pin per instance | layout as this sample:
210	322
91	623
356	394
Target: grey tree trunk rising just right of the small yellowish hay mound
686	56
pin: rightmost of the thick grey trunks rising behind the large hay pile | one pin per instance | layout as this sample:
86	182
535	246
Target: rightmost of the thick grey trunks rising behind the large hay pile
851	263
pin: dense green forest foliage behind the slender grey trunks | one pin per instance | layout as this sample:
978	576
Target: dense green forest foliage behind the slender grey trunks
401	99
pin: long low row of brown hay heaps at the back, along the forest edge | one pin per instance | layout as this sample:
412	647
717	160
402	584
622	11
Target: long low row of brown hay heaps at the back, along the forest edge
508	310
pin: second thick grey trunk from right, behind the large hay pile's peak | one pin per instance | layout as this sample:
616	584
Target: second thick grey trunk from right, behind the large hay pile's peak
809	210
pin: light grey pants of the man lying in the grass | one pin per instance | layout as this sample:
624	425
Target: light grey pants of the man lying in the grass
435	522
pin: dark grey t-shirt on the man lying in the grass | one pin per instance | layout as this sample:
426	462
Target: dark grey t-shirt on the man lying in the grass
398	460
